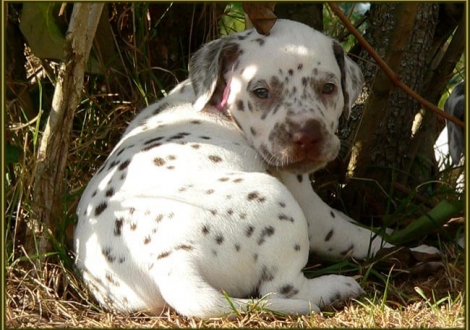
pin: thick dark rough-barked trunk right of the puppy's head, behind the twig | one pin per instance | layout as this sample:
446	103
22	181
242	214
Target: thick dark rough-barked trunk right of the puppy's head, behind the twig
402	33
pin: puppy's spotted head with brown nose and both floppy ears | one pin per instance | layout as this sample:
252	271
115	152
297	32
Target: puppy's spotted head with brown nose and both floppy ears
286	91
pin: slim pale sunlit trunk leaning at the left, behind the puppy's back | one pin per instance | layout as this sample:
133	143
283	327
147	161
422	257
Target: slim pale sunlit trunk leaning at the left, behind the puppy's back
53	150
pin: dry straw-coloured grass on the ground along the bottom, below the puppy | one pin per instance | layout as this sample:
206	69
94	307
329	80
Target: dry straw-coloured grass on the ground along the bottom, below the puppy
52	296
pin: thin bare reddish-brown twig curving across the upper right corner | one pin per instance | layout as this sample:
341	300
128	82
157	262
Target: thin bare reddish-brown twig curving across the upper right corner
392	75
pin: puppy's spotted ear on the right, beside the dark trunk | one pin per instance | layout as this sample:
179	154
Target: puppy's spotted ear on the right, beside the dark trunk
351	78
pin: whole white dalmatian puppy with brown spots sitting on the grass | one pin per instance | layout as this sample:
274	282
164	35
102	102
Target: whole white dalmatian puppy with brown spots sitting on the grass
205	204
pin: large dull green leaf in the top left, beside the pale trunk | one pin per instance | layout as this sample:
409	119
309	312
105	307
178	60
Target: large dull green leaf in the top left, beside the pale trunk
41	28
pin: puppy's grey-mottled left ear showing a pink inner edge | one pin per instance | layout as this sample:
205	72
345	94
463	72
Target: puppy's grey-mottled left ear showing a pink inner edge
207	68
